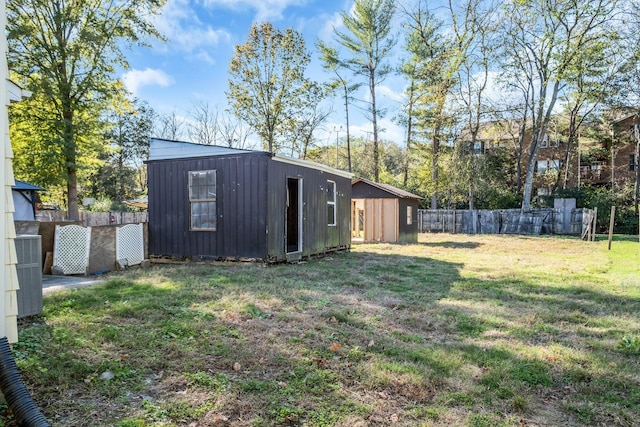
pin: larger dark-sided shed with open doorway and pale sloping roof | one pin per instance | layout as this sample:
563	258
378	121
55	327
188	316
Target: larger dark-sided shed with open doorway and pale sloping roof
212	202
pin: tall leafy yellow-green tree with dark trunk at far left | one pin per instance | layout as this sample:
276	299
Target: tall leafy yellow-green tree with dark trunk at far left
66	54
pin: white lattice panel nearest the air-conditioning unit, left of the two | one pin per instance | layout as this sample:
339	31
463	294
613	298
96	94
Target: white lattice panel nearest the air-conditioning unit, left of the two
71	248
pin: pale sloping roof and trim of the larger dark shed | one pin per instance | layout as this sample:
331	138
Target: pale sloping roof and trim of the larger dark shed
164	149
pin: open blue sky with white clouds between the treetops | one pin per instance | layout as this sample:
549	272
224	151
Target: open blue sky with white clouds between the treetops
192	66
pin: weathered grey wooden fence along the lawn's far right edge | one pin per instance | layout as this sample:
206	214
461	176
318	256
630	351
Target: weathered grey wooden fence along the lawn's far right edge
506	221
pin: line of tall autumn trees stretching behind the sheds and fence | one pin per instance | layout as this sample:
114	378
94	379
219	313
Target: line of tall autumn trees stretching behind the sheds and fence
527	67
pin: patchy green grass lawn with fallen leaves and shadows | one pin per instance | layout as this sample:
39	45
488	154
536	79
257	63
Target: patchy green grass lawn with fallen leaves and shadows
455	330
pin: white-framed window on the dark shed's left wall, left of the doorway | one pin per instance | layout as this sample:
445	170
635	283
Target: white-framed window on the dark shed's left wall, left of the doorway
202	198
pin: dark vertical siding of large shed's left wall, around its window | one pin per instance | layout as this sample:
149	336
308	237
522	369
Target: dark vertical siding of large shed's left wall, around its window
241	206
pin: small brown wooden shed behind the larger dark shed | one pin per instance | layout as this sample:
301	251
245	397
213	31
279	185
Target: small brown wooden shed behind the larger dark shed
383	213
